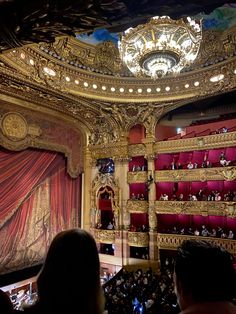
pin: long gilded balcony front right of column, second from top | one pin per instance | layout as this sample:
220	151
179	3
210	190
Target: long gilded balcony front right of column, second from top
199	174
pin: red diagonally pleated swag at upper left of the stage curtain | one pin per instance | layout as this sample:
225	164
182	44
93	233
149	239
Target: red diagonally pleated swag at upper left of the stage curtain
20	173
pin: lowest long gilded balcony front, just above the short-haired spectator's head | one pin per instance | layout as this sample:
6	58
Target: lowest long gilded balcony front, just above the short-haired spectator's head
172	241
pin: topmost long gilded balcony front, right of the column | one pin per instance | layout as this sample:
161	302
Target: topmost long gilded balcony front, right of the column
196	143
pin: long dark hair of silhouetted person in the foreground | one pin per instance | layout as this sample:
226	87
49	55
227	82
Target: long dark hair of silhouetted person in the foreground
70	278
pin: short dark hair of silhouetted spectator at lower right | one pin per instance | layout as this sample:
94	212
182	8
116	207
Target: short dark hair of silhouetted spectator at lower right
206	271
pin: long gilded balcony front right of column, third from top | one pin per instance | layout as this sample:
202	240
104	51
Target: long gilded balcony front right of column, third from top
206	208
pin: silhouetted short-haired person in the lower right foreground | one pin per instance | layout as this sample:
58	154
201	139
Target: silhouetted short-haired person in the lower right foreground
204	278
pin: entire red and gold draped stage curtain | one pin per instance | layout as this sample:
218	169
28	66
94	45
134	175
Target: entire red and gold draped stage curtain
22	176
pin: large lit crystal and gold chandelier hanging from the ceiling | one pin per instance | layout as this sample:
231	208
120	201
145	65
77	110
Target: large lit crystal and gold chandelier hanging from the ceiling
162	46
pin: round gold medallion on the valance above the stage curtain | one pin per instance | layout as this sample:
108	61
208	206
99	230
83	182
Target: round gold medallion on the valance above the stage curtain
14	126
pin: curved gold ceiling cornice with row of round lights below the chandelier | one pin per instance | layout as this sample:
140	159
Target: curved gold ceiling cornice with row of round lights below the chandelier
101	66
